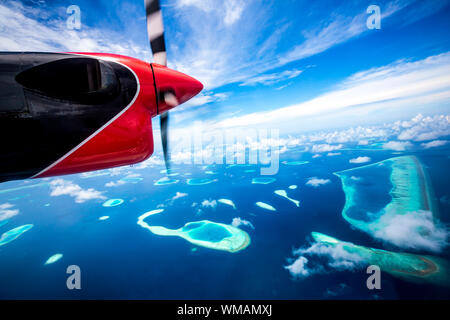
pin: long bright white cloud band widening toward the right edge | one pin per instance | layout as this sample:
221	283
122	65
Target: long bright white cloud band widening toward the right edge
401	84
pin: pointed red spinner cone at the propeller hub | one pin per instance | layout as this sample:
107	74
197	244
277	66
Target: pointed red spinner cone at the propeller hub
173	87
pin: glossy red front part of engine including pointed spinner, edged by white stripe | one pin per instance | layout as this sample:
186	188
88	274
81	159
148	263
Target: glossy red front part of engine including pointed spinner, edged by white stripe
127	138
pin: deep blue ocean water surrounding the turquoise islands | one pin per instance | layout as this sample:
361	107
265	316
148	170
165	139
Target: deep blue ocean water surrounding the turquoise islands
121	260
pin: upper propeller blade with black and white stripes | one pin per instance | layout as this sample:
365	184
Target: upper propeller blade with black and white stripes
155	30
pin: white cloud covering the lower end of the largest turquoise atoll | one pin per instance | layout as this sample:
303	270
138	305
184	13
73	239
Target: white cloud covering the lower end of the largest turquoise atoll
412	230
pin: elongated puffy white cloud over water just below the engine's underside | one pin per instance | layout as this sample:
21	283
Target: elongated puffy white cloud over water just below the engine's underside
61	187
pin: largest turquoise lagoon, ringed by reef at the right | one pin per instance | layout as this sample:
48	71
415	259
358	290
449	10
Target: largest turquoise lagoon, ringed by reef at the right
377	192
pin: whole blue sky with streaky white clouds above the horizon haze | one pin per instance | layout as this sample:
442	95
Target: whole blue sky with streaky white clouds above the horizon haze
293	65
